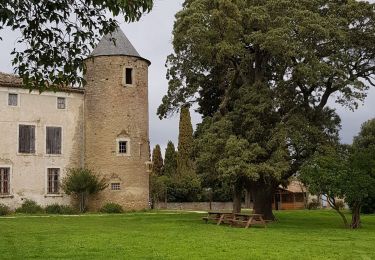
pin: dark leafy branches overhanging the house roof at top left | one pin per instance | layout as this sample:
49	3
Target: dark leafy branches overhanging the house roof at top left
58	35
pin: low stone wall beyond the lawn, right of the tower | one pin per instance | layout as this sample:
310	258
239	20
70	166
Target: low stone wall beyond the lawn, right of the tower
204	206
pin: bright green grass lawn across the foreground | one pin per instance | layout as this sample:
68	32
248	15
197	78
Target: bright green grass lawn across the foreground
162	235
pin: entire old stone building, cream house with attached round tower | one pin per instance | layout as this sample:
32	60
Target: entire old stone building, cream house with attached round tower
103	127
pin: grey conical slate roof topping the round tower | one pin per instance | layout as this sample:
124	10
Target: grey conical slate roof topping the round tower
121	47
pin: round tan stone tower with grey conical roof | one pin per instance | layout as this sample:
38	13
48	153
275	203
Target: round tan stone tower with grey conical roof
116	121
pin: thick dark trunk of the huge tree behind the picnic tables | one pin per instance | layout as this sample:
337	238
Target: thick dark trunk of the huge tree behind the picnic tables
263	196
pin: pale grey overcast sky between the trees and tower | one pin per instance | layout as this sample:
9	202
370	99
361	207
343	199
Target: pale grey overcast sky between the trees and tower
152	37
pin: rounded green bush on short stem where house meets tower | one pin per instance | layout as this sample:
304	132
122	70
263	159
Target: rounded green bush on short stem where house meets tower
82	183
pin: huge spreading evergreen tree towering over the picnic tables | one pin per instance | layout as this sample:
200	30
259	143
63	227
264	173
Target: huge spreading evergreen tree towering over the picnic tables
265	70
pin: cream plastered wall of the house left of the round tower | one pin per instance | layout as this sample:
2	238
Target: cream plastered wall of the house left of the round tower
28	176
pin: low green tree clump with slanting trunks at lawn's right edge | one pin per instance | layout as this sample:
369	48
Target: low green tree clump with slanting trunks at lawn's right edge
345	172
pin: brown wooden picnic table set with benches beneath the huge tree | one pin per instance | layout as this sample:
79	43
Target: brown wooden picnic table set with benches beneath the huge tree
240	219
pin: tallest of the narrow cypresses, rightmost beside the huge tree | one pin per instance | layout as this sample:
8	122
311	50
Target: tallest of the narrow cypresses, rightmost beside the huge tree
185	143
